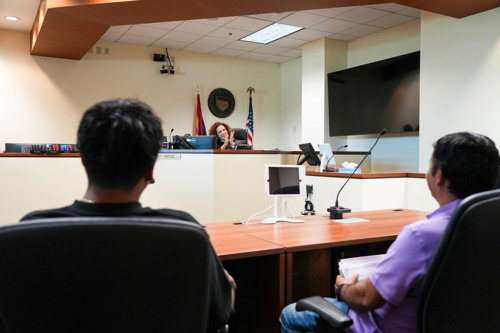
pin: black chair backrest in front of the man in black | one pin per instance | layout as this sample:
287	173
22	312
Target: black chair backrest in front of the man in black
104	275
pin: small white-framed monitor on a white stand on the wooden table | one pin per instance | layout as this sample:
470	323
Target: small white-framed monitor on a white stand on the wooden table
282	181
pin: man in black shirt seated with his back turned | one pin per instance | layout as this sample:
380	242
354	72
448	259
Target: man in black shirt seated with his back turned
119	141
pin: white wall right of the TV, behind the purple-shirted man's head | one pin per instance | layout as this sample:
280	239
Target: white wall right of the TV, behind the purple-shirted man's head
460	81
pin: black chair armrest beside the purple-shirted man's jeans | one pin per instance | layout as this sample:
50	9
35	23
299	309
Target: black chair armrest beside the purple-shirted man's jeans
329	312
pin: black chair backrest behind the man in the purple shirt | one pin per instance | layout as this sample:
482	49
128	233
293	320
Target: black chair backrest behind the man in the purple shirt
460	292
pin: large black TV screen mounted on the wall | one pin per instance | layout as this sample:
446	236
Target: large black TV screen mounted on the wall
383	94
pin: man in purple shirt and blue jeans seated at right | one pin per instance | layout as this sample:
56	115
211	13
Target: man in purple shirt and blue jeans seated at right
461	164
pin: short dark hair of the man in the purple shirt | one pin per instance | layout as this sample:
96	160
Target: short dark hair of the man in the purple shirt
470	162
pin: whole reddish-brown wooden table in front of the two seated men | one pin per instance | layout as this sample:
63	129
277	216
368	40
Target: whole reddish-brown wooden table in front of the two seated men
277	264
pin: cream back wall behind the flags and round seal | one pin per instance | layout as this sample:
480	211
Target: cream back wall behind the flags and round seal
43	98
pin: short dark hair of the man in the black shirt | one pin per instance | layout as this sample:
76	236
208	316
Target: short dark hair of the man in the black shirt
118	141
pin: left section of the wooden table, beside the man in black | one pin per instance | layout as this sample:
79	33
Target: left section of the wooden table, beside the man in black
258	267
